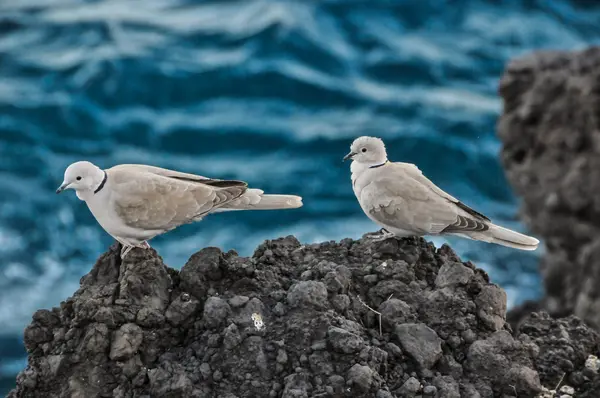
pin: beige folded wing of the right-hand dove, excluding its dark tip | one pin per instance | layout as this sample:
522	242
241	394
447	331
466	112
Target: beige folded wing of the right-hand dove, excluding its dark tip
405	203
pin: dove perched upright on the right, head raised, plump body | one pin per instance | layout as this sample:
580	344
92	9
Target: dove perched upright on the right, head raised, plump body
404	202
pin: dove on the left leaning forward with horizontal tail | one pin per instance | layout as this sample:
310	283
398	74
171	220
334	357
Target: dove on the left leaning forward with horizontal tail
135	203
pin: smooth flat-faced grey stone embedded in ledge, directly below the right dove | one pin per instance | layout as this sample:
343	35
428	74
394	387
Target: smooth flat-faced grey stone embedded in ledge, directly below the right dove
420	342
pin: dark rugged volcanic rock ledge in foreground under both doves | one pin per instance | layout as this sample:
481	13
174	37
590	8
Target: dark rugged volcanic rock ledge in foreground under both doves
397	318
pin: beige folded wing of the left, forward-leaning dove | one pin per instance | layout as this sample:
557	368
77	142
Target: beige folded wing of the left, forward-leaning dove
153	202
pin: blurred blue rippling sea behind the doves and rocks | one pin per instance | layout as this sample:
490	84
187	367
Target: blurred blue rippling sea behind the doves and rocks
270	92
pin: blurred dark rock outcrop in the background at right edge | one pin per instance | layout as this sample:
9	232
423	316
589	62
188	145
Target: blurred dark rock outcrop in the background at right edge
550	129
